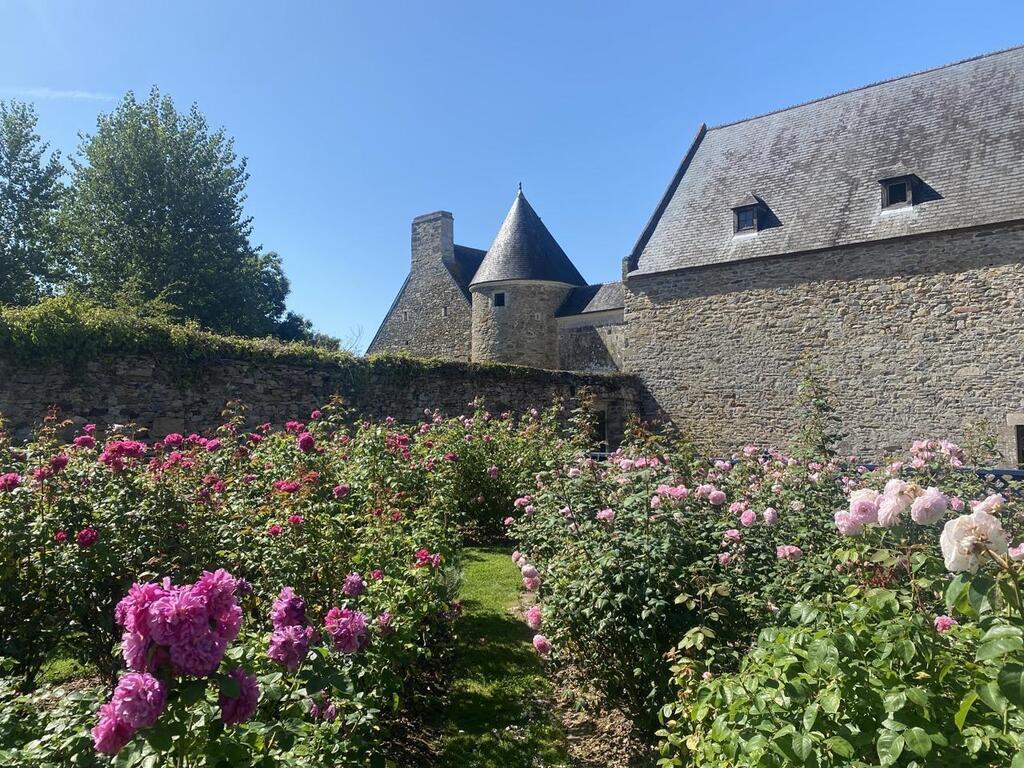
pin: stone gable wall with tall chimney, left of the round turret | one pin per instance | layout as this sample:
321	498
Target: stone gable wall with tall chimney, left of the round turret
432	316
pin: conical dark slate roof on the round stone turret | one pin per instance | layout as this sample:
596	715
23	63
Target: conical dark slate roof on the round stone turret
526	250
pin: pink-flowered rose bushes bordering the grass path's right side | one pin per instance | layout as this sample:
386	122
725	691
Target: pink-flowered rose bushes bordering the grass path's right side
635	553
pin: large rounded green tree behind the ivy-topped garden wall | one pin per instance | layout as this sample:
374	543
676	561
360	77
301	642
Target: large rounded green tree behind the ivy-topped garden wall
155	214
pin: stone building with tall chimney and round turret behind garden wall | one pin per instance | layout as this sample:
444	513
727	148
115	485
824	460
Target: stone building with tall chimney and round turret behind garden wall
522	302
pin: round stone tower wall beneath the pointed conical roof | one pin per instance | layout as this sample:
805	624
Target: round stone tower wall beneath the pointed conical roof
524	332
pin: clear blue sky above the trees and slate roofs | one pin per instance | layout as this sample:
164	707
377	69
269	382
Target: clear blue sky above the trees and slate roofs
358	117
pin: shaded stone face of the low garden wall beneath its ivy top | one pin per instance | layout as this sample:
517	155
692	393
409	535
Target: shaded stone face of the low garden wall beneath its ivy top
163	398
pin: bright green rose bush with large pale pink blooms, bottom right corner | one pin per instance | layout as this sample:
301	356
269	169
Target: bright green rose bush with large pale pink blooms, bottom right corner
905	665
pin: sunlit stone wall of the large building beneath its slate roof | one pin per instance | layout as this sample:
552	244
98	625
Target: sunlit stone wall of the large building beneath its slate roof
915	336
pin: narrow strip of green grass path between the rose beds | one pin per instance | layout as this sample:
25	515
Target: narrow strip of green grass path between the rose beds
499	711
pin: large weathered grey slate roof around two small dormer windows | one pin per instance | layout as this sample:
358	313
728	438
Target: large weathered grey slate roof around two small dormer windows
818	166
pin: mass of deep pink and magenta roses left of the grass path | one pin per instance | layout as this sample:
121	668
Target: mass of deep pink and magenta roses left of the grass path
362	524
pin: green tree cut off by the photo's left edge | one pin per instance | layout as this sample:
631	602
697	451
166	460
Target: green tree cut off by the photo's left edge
30	194
